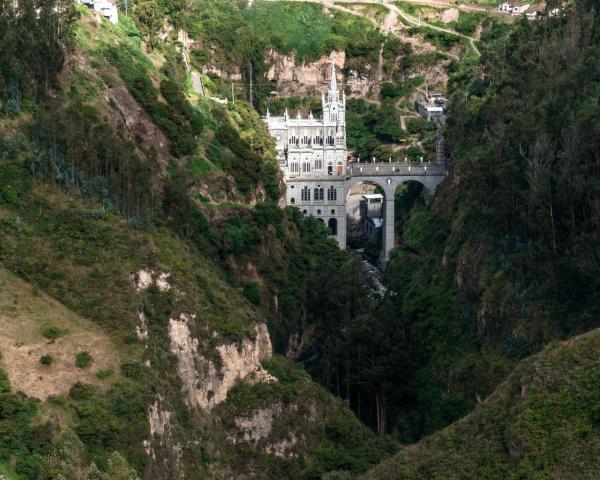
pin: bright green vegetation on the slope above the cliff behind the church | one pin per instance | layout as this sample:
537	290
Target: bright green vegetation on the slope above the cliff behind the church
238	33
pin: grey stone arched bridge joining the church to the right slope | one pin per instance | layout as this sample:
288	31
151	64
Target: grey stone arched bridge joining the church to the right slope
389	176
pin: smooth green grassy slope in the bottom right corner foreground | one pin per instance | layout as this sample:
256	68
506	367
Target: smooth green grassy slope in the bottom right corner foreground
542	422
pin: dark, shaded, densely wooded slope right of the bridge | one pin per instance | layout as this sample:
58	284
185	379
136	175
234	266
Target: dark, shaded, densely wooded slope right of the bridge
501	262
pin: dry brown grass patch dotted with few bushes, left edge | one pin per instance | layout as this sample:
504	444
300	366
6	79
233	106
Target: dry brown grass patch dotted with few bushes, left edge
25	316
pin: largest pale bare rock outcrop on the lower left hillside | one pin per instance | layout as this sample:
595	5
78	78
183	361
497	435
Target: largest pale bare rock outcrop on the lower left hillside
206	384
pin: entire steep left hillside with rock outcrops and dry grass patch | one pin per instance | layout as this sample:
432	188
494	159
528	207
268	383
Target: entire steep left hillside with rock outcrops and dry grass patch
143	249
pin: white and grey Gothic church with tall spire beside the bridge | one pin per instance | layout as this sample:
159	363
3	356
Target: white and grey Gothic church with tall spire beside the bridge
312	156
